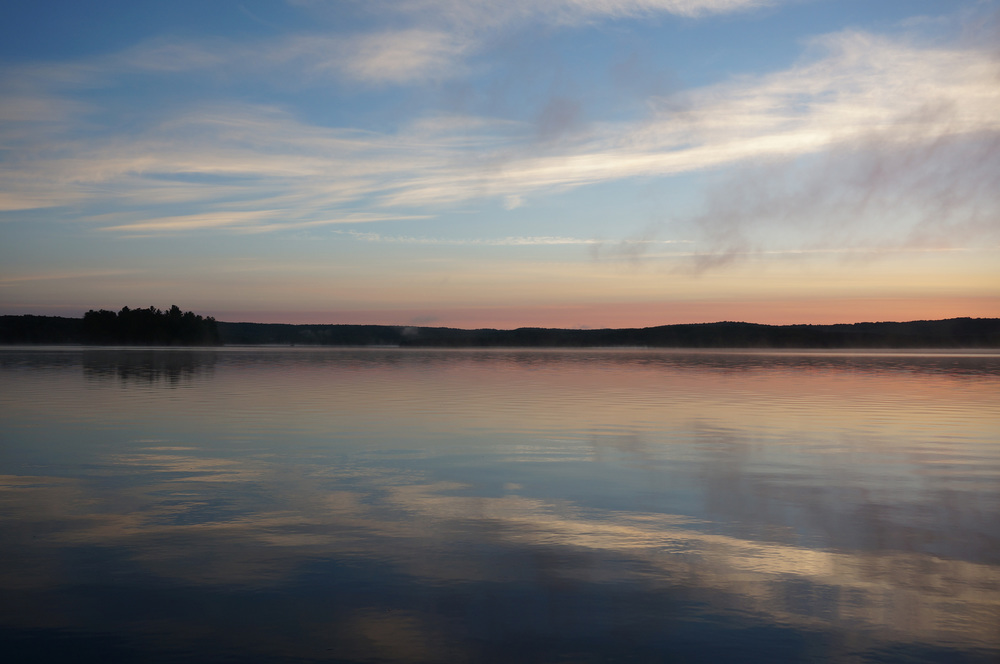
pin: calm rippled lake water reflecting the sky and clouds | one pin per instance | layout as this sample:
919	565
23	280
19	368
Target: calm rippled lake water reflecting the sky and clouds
302	505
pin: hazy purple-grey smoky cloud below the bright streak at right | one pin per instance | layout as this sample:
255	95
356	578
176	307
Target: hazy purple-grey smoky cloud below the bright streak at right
863	201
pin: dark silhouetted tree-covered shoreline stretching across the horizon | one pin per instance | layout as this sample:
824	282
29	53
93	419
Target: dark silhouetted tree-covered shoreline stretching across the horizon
152	327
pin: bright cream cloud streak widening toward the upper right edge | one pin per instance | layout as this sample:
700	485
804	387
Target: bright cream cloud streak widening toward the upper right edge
865	88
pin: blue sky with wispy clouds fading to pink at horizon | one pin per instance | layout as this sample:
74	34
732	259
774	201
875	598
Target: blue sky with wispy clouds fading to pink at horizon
473	163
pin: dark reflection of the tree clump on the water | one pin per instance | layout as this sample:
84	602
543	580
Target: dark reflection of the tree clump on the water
148	366
